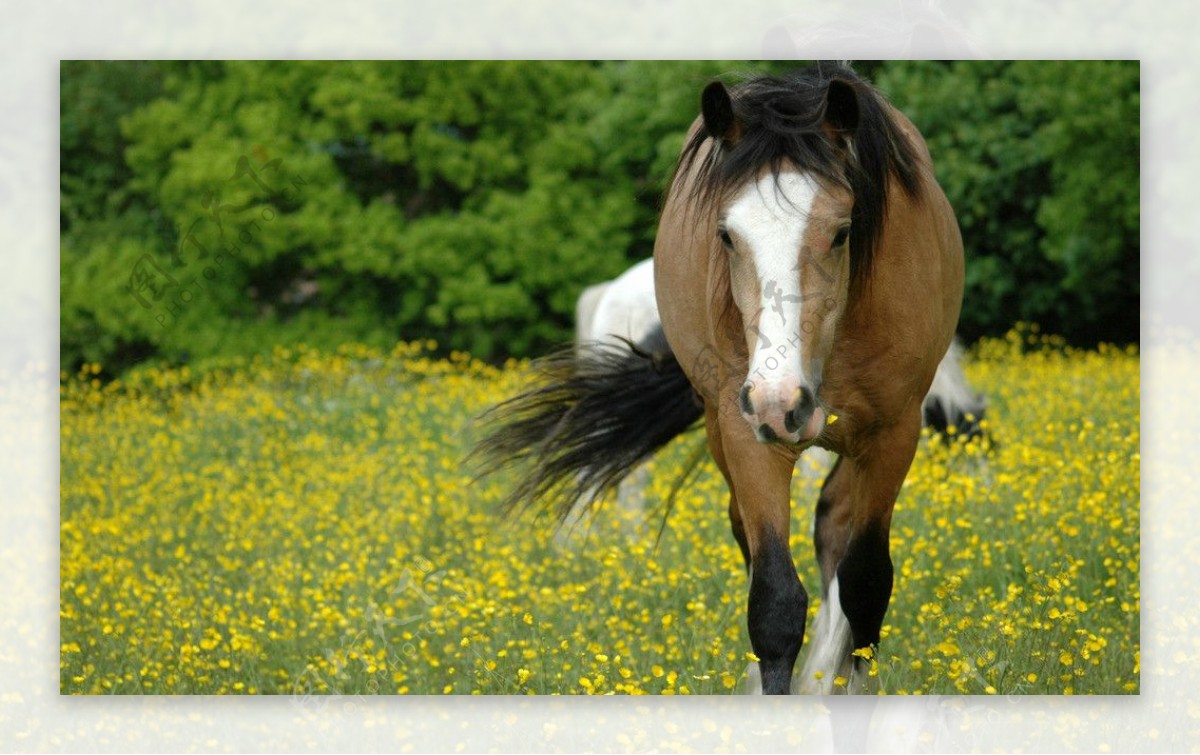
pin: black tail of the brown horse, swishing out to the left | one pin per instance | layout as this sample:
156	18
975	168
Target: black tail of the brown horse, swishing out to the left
595	415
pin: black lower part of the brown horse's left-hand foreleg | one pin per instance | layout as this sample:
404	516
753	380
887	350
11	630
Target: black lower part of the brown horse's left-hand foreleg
777	614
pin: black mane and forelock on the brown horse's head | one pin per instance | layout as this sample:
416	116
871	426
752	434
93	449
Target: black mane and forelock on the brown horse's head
783	121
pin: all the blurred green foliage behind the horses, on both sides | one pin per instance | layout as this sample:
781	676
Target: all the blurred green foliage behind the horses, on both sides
214	209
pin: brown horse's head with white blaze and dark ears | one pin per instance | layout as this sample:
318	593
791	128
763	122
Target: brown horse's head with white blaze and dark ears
797	208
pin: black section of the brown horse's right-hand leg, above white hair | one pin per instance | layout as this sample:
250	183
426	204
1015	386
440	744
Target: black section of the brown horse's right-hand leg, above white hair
865	584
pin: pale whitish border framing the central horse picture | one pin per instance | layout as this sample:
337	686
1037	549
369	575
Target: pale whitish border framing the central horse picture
35	37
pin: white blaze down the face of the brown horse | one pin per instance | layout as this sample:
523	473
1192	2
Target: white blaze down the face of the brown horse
770	220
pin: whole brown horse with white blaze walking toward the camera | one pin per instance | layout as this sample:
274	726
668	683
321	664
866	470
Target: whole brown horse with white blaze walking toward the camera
809	278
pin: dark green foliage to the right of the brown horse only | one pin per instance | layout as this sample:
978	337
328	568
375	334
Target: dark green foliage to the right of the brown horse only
1041	161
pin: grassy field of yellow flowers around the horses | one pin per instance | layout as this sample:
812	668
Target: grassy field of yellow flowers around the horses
303	525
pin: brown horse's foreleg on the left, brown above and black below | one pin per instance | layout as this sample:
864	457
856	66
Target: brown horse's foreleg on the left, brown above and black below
760	478
